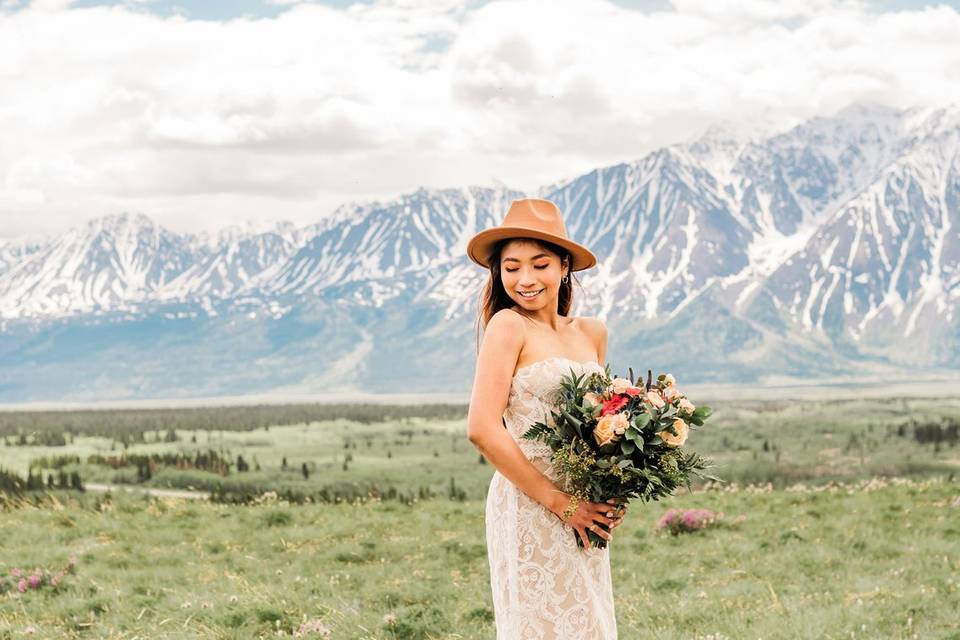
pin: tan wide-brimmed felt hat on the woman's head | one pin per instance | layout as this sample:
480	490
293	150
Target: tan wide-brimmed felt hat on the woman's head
530	218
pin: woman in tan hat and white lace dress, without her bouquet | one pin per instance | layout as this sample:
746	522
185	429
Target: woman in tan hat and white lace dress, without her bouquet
544	586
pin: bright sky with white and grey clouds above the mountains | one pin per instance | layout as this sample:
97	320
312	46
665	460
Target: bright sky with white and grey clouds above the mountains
212	112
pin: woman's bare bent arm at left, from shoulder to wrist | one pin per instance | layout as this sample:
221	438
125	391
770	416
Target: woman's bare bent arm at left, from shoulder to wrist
503	339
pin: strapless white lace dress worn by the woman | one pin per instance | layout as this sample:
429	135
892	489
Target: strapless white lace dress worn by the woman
544	586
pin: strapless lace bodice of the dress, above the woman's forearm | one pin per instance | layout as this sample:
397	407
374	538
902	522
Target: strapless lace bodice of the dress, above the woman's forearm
533	393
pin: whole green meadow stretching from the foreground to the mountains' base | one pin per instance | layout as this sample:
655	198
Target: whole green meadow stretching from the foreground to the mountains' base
841	519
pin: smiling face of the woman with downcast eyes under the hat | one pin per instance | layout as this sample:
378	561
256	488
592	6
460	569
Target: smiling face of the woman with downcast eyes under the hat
527	267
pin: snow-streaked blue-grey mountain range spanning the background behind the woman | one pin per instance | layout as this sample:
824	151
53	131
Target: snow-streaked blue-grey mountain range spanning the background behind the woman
830	248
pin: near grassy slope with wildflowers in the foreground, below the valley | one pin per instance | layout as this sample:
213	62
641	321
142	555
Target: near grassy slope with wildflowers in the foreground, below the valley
875	562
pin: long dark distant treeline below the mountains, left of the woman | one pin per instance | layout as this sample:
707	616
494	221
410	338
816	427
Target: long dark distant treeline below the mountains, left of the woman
115	423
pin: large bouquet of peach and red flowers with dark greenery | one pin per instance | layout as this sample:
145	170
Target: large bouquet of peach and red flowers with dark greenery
617	438
